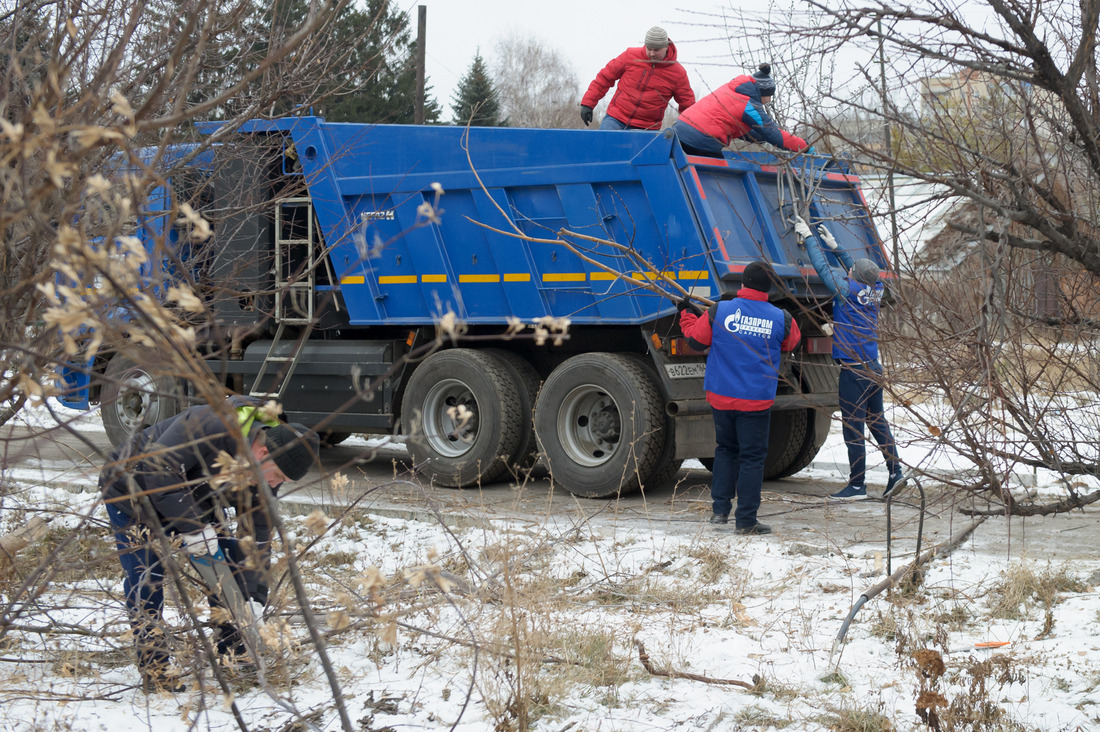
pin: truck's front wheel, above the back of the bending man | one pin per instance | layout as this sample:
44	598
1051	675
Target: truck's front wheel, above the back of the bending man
135	397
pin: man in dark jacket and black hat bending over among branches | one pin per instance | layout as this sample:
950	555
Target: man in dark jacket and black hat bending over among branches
168	484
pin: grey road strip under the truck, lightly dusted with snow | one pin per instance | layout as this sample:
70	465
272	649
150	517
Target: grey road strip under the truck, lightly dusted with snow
380	482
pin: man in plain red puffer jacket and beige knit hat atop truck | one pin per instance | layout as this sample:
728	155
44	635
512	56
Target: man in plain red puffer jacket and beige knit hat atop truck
647	79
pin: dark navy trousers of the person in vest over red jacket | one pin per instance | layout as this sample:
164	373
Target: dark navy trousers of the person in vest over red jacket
741	450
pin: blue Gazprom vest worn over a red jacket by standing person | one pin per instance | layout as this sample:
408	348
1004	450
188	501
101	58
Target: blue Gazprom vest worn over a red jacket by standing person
745	349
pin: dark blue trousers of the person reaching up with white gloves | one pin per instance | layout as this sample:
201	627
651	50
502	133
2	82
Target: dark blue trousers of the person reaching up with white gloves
861	395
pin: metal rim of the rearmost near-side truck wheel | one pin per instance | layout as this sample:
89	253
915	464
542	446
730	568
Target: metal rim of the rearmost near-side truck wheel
590	427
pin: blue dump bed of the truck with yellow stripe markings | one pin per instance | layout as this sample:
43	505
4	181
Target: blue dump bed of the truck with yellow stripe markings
700	221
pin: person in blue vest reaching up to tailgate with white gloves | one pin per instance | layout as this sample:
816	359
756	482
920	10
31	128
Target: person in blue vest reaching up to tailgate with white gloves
857	296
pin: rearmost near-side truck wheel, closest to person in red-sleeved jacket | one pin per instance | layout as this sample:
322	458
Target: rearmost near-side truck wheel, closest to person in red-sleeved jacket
599	421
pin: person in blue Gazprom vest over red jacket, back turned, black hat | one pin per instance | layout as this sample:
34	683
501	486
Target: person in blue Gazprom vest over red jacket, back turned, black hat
747	336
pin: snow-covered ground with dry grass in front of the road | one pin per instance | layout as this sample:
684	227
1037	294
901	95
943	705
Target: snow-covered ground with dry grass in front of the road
548	632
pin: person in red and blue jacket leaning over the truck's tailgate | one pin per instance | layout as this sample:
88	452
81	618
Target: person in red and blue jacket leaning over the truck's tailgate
735	112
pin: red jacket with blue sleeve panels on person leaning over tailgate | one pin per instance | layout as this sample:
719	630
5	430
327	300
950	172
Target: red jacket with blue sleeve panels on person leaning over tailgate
735	112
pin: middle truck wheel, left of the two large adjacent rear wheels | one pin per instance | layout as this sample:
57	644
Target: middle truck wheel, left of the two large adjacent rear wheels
453	450
